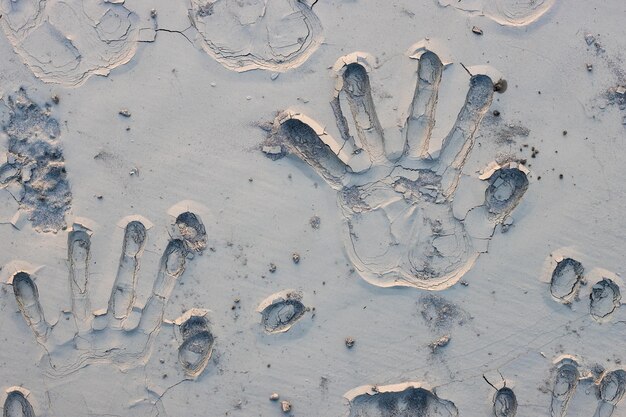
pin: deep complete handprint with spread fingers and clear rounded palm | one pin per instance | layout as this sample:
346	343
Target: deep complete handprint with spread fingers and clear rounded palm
401	229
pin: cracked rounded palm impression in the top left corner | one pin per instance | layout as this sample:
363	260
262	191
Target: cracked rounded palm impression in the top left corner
66	42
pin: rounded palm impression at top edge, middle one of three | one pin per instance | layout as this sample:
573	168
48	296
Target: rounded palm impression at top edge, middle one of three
243	35
